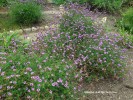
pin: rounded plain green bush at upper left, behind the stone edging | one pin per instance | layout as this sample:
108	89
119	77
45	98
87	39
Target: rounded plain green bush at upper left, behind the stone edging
25	13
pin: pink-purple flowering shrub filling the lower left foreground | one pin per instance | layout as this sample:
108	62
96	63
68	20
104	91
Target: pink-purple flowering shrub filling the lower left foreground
27	74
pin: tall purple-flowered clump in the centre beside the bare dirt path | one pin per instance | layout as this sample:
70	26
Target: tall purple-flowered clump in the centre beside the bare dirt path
97	56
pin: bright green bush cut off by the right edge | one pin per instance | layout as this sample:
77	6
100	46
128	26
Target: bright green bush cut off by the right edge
127	20
